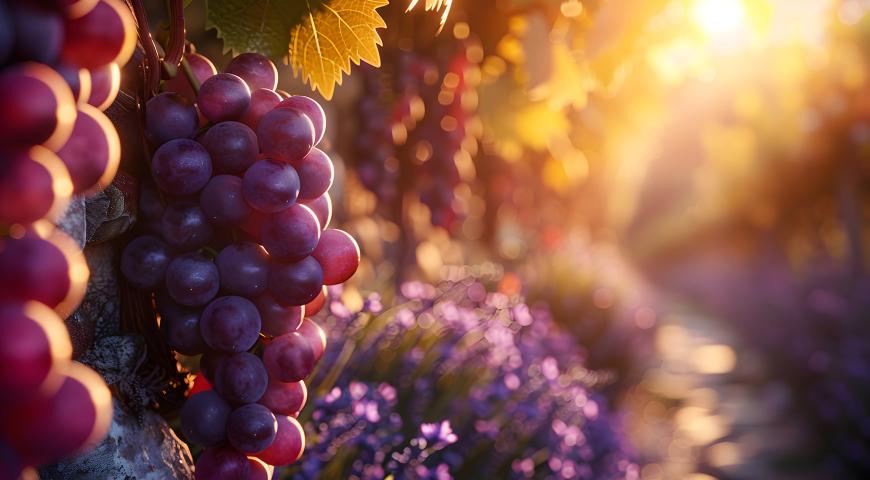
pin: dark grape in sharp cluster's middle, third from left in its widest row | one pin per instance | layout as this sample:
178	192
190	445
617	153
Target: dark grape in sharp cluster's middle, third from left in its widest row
244	269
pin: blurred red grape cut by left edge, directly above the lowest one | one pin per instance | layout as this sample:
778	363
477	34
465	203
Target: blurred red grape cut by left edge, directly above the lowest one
34	350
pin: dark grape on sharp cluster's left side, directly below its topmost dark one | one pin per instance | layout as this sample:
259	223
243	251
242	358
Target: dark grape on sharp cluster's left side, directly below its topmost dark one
181	167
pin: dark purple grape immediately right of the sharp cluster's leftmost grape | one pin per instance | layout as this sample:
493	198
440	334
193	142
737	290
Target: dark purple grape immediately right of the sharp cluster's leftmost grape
192	279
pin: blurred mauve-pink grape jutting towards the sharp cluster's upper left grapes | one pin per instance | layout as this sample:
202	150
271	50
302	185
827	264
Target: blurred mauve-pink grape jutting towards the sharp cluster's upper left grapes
93	152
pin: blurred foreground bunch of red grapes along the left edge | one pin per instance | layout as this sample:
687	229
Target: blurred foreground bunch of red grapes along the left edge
59	68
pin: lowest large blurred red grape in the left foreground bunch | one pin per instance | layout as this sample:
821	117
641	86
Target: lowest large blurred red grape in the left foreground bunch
72	419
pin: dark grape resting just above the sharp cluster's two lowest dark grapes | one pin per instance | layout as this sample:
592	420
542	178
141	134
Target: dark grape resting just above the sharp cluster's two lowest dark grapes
241	378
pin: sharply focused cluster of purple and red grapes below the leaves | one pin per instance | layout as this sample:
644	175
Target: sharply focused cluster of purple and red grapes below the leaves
237	252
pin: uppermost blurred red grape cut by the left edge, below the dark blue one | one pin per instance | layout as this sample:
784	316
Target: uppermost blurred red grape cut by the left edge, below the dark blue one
36	106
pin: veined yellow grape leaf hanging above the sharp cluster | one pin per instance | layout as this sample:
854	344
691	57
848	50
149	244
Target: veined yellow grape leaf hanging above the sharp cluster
333	35
